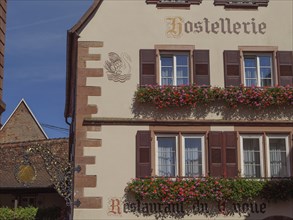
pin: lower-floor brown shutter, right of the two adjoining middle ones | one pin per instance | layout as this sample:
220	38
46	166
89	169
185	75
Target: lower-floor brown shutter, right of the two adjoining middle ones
230	148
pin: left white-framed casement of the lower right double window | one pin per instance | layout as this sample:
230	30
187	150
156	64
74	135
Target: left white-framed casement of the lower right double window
251	156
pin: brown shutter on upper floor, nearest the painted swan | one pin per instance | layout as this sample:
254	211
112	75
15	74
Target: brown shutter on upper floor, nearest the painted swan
147	67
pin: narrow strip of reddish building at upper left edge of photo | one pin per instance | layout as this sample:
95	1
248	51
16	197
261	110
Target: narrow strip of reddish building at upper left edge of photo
3	4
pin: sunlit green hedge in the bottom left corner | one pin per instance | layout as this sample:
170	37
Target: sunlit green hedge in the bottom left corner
27	213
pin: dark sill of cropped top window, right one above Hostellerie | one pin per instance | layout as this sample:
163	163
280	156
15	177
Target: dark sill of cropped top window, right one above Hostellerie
251	4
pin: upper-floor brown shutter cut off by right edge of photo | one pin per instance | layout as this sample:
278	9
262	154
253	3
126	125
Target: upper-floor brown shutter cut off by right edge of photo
285	67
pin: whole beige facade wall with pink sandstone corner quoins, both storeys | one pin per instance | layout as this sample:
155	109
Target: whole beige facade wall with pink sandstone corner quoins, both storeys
125	27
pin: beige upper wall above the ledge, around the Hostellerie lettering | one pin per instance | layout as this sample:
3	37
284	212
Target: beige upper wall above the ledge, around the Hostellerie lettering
128	26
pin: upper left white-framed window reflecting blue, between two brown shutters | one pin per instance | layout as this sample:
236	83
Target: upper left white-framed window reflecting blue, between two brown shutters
174	69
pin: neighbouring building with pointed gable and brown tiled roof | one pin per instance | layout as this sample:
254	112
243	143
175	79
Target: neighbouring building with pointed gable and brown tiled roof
26	155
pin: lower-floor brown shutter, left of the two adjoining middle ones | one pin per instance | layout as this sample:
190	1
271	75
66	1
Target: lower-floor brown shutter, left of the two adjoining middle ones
215	154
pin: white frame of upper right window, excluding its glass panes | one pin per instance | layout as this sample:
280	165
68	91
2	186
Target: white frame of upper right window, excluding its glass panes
257	56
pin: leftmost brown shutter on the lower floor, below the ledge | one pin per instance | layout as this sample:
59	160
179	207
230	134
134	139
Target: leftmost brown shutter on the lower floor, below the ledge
143	154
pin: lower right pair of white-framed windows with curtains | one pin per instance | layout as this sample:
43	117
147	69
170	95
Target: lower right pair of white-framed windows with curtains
276	157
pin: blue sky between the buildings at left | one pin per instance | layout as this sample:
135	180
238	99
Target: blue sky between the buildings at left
35	57
